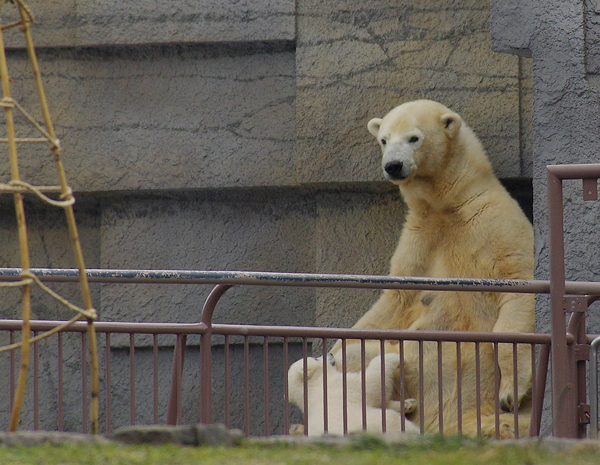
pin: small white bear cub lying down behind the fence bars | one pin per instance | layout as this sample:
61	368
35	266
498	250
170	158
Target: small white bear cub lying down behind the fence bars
314	375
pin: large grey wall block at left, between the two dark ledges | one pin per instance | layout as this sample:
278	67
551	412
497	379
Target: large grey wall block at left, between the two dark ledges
164	118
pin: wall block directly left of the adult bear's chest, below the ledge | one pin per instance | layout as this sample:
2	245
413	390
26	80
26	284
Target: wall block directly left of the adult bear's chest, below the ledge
357	232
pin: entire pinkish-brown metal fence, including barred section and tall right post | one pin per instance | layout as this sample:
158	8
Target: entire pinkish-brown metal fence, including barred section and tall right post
568	345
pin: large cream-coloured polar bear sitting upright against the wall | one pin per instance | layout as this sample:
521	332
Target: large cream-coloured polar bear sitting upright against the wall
461	222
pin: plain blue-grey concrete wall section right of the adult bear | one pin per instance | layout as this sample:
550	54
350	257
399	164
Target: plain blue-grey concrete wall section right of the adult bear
562	40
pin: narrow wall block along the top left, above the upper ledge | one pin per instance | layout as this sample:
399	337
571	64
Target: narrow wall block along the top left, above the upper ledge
78	23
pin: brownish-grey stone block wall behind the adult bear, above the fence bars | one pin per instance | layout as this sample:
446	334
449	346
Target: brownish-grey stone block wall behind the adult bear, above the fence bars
232	135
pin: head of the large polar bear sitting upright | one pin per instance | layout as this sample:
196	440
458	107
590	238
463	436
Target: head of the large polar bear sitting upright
416	139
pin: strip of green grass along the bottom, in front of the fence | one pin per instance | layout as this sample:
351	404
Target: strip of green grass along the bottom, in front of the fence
432	451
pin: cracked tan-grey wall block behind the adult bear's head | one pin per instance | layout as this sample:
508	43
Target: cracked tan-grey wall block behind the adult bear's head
357	61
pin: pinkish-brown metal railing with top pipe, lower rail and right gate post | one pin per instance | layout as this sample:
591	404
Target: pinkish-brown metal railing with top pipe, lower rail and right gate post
568	343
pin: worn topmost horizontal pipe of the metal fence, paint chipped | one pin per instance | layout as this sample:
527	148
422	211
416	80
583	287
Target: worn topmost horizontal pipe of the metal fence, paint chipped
255	278
